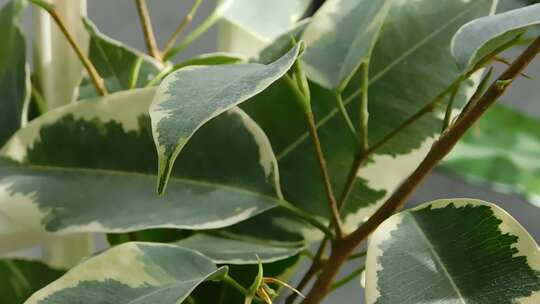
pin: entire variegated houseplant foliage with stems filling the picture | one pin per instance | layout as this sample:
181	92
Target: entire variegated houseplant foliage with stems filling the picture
213	177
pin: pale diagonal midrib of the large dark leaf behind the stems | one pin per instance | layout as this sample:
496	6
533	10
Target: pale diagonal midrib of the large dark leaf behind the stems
291	147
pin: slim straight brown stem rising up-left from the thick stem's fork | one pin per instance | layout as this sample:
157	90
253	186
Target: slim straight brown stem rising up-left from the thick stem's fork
332	203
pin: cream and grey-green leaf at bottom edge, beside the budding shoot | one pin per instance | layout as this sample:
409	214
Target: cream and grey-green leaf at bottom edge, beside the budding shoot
132	273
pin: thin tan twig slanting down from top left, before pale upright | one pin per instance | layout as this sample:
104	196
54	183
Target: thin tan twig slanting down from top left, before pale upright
89	66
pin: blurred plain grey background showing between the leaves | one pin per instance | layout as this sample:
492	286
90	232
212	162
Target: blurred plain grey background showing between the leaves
118	19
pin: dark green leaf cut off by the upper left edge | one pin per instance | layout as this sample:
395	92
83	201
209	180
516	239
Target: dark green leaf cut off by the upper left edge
14	79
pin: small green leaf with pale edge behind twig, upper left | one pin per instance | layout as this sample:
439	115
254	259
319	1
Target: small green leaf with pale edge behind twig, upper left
121	67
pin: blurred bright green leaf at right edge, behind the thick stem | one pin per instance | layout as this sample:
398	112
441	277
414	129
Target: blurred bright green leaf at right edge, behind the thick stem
501	151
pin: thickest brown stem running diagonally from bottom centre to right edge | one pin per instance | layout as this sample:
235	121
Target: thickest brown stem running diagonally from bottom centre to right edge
343	248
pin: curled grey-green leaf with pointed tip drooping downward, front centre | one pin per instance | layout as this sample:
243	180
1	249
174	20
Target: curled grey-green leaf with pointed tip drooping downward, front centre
190	97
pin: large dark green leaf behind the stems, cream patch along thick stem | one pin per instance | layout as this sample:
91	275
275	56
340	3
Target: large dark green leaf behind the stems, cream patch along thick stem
411	64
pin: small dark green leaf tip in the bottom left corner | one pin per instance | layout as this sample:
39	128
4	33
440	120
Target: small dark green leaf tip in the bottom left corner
21	278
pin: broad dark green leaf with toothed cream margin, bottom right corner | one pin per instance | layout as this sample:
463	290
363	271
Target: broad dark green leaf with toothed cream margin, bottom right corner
452	251
